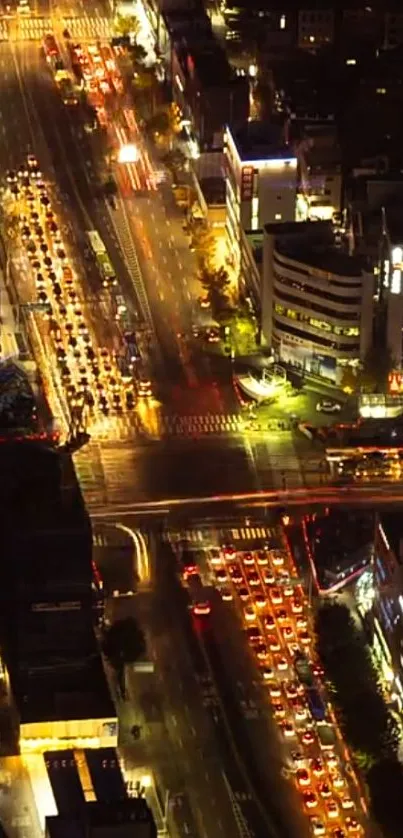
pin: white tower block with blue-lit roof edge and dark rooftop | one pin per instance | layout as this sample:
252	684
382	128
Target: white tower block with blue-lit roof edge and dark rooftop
261	181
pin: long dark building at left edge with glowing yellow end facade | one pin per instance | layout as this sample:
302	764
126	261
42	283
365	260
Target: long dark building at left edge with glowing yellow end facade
48	603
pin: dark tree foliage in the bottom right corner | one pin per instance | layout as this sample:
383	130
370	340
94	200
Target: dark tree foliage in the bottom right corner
385	784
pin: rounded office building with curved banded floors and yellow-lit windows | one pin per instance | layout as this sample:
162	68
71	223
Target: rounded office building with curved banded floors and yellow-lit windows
317	302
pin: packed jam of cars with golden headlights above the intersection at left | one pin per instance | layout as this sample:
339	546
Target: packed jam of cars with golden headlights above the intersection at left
89	380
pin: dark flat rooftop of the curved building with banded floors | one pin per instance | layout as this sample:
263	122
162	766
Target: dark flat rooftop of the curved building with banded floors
312	244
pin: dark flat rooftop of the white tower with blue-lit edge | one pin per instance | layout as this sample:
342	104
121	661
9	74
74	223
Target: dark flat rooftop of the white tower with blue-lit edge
257	140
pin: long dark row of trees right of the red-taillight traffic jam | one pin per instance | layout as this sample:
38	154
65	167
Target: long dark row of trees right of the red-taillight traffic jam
364	717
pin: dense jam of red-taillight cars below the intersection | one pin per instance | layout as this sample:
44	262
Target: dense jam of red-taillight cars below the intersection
264	588
